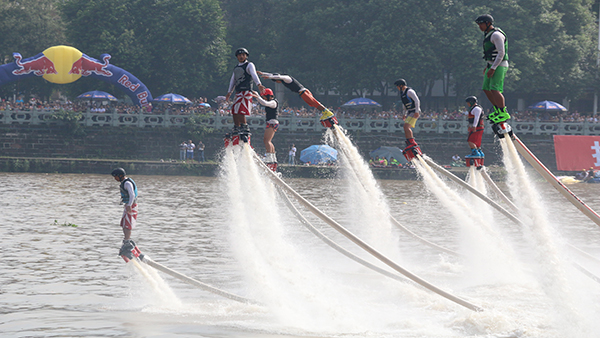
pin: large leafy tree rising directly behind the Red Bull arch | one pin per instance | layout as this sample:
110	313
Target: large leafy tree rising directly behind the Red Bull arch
170	45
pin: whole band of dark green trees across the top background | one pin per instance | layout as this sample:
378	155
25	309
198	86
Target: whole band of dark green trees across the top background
354	47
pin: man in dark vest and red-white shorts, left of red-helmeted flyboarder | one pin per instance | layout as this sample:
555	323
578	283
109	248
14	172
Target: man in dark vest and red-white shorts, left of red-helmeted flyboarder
244	74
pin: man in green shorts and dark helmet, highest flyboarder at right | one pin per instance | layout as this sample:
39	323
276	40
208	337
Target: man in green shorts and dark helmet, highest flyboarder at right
495	53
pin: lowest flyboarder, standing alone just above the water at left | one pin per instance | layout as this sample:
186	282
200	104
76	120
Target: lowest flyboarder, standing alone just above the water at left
128	190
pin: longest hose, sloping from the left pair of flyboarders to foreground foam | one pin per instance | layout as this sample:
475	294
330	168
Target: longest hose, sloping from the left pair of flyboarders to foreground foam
280	183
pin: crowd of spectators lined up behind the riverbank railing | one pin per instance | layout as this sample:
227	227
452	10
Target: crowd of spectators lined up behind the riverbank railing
218	106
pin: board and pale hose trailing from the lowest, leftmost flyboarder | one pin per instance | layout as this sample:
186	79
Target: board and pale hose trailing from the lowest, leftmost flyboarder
137	257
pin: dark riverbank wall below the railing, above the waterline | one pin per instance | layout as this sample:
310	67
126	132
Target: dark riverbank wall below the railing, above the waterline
151	148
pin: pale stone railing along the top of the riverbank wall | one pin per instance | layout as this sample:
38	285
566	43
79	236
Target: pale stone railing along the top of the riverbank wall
294	123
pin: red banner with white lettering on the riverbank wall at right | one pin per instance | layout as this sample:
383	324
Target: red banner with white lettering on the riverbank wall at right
575	153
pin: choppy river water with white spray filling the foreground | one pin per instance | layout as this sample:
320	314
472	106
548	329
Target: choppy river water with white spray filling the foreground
233	232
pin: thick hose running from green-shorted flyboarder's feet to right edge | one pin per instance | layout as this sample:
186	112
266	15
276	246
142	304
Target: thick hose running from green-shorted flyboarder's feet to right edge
556	183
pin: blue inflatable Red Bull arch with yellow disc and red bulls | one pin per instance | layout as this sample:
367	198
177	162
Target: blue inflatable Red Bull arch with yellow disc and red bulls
65	64
